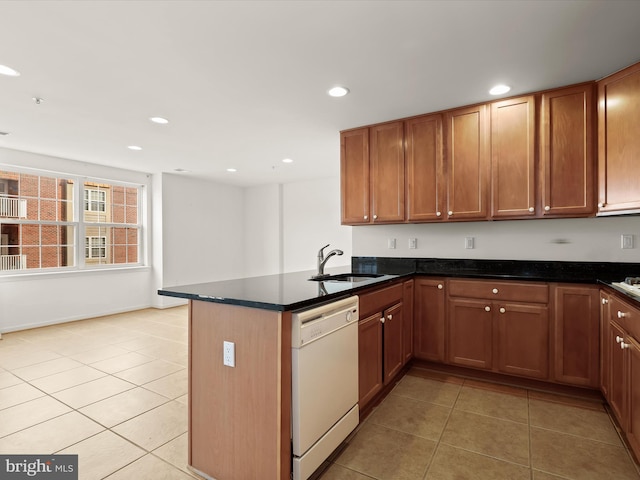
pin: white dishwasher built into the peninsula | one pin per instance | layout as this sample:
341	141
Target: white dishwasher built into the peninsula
325	382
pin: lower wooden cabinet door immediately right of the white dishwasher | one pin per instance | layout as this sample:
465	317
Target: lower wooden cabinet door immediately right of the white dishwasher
369	358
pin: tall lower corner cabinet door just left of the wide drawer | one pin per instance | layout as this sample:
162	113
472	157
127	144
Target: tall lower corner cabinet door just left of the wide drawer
429	319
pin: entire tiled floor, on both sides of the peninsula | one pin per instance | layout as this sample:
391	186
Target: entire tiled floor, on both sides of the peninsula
114	391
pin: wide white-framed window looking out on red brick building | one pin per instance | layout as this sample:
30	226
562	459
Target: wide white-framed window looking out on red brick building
42	222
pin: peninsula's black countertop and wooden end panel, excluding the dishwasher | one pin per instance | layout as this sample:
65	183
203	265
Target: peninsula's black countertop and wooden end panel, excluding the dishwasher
239	417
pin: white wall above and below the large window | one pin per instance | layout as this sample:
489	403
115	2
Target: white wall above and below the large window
35	299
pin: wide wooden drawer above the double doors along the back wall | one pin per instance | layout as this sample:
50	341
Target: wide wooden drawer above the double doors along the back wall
501	291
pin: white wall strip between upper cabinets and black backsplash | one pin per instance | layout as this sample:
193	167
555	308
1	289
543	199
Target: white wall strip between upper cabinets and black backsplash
576	239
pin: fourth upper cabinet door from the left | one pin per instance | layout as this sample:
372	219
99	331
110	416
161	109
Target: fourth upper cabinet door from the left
466	163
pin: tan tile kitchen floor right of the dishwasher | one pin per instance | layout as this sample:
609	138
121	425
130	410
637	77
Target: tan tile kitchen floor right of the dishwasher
435	427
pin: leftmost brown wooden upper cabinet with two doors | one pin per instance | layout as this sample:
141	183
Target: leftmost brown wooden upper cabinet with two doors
372	174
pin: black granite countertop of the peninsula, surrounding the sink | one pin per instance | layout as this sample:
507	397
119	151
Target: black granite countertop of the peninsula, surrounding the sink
287	291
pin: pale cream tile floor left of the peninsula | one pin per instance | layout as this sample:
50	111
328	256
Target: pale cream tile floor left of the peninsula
111	389
